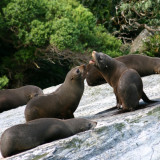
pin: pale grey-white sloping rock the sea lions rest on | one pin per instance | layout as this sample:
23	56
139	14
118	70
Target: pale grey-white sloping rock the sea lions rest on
126	136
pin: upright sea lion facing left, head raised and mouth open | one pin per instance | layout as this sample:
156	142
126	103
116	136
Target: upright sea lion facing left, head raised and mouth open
127	83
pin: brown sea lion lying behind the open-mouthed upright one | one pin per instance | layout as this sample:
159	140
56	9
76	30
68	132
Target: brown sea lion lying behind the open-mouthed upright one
144	65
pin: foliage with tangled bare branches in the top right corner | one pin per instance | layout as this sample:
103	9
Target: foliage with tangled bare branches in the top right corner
142	9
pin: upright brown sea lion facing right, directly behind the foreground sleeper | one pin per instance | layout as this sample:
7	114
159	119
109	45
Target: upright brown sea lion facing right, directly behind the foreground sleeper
61	103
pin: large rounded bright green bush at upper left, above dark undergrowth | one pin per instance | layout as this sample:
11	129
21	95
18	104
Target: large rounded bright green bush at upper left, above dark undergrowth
63	24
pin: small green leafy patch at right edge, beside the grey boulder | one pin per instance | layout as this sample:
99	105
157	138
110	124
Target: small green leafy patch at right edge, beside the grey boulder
153	46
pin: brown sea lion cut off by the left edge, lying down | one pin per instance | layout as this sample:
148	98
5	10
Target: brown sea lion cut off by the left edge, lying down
12	98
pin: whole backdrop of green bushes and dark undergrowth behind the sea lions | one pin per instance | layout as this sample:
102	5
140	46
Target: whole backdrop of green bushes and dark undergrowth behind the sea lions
40	40
